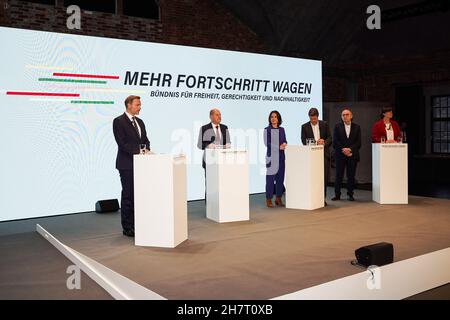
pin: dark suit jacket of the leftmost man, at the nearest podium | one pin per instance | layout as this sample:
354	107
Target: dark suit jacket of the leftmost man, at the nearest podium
128	140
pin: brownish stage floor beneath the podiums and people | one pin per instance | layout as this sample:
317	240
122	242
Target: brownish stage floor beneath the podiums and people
277	252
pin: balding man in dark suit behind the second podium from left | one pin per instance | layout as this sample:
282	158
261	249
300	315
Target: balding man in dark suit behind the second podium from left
212	135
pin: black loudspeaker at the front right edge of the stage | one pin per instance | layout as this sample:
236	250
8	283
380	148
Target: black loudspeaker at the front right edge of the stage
377	254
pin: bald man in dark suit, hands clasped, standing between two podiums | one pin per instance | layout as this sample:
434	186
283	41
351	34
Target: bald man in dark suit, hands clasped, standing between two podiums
346	143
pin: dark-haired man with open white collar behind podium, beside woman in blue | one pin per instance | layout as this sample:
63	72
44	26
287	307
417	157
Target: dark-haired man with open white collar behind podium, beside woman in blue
319	131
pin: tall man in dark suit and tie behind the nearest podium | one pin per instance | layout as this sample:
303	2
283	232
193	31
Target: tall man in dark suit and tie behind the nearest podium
129	132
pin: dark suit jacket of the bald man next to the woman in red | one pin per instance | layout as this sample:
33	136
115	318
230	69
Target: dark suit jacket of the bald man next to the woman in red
353	142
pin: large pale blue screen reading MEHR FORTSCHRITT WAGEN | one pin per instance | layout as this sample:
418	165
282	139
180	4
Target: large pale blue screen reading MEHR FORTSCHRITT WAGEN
59	94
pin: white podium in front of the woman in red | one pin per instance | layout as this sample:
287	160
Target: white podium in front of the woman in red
390	173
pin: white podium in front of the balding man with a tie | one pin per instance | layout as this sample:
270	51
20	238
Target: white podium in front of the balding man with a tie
227	195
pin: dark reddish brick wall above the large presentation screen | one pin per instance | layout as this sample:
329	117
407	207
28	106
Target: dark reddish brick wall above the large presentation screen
202	23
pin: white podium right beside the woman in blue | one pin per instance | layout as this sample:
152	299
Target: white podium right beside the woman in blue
304	177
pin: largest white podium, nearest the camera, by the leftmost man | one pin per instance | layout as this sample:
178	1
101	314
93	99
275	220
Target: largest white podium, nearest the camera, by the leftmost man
160	200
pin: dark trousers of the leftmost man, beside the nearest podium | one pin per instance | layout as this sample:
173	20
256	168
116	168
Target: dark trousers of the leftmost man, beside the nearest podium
127	199
